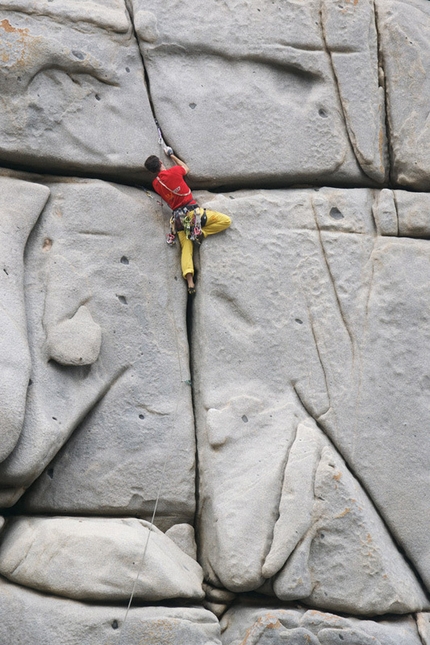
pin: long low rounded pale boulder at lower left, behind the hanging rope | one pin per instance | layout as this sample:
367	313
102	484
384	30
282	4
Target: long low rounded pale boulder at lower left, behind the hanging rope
97	559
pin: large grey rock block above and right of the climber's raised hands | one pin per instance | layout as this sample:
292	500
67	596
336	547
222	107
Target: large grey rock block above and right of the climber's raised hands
276	60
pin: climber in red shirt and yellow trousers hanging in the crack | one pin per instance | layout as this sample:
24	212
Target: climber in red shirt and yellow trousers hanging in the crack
190	222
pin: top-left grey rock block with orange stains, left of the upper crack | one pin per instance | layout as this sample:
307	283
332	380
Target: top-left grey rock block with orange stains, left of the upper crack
72	87
